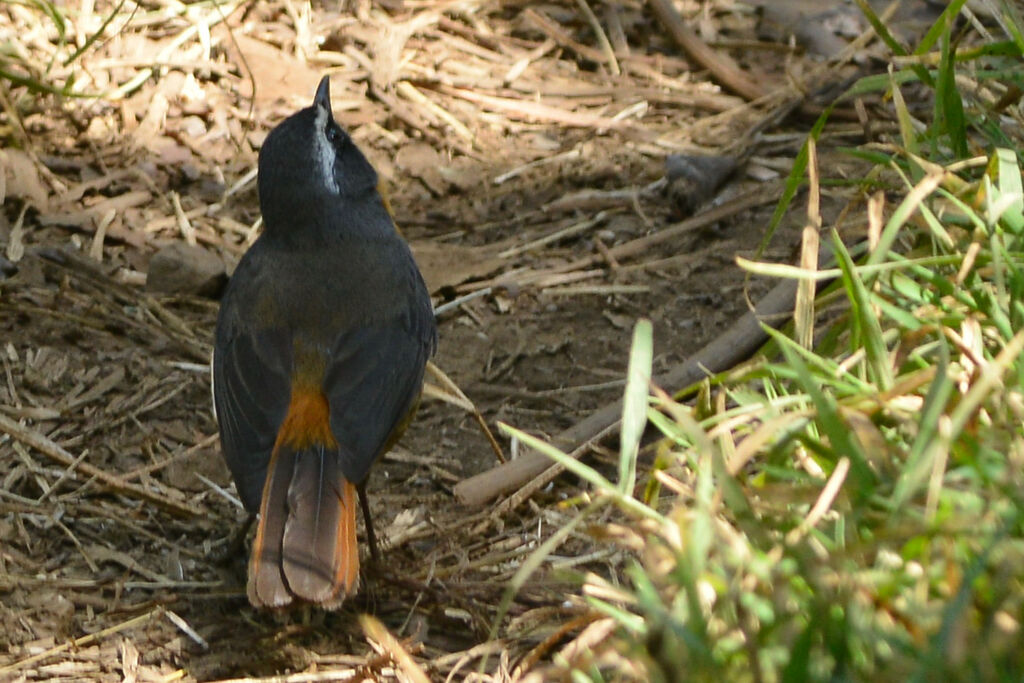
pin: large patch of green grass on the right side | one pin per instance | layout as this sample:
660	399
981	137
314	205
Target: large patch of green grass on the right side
851	511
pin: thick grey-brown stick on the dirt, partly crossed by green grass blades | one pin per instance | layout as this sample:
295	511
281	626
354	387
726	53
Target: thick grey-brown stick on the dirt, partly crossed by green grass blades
734	347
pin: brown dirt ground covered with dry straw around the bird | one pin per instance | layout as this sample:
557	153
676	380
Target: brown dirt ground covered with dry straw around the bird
493	129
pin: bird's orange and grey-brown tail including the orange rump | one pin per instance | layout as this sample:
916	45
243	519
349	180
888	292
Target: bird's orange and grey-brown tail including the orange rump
306	542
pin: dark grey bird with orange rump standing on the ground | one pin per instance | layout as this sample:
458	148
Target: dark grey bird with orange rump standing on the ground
320	351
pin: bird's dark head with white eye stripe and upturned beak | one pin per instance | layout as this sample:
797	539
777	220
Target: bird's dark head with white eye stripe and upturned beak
310	168
